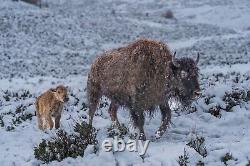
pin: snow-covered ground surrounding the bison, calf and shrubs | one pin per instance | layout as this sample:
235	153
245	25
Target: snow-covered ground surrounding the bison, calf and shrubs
41	48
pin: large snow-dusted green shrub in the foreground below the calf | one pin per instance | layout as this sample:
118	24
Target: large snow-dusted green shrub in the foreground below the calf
66	145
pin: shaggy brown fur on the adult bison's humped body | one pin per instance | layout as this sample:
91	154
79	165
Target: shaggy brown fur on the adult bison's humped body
124	70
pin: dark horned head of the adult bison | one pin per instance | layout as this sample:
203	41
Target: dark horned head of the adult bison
185	74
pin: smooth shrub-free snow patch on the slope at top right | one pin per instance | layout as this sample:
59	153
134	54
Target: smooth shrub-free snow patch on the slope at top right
236	16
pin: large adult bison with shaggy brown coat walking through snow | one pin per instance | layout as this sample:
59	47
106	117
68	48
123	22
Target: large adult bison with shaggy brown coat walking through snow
142	76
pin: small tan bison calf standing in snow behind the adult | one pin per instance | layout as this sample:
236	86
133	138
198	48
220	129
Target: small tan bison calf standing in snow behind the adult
50	104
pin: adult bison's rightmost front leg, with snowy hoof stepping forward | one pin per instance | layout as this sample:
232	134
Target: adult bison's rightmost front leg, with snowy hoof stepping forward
166	118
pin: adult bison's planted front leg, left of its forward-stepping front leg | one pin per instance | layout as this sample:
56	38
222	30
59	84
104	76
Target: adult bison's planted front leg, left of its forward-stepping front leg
139	119
